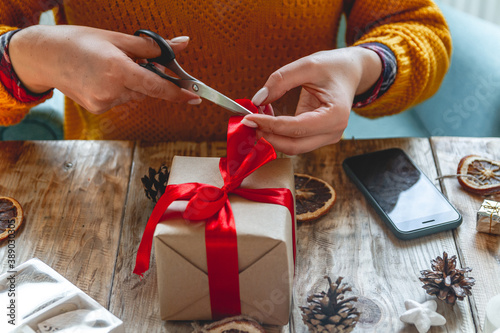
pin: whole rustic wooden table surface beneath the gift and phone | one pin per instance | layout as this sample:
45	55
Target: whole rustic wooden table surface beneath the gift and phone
86	211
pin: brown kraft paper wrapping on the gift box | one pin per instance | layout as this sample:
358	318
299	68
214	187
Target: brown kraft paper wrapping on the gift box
265	249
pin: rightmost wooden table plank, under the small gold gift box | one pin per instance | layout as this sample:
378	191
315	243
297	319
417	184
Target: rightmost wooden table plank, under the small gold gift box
480	251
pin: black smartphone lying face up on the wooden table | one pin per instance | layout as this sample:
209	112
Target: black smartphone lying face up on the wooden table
401	193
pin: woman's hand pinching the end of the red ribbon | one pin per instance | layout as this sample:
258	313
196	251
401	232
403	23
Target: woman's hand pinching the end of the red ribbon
329	80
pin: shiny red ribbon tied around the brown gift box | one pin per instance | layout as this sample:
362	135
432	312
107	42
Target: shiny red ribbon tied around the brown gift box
211	204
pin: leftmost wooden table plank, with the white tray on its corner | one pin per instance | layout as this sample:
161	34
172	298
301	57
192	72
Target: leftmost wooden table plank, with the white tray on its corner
73	194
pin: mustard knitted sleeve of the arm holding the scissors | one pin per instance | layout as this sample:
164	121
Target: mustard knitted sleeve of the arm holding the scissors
16	14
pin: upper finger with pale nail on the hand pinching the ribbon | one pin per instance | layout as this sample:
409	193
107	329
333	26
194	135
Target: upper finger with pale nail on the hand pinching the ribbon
284	79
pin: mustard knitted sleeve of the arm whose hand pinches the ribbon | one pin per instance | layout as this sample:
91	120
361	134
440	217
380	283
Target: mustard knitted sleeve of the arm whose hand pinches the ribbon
417	34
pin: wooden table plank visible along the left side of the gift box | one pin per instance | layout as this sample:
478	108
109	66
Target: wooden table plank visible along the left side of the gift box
133	300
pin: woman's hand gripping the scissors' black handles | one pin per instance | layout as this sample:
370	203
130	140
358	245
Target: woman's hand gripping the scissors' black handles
95	68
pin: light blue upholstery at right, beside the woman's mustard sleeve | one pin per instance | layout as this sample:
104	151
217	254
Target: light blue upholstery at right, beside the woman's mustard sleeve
468	101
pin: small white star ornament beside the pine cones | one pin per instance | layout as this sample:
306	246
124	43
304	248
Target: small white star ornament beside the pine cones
423	316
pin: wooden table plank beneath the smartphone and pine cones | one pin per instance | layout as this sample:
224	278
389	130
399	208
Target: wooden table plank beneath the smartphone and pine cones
353	242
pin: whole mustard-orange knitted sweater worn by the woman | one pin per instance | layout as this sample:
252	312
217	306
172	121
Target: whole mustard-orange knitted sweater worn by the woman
234	47
